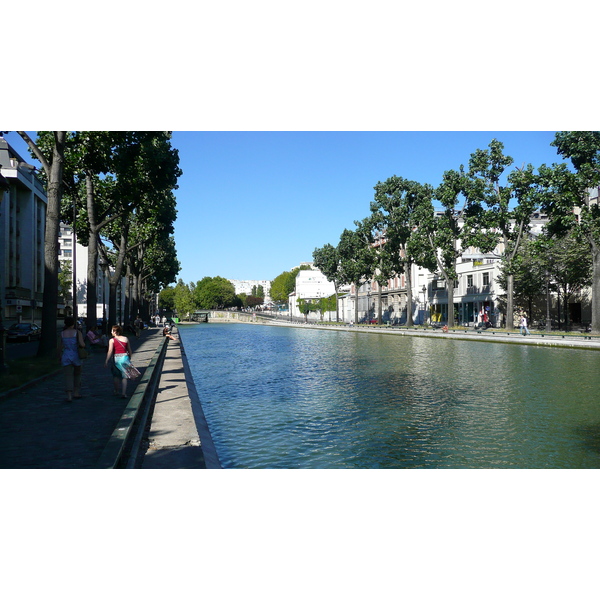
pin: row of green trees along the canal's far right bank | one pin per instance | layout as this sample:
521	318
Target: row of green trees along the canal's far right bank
487	207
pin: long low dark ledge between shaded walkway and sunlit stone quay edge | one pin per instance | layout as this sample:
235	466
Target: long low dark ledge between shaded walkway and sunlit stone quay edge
122	449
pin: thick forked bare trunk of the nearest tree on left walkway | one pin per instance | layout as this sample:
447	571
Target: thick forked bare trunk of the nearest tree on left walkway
53	164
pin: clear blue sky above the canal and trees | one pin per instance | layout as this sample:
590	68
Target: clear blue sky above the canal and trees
254	204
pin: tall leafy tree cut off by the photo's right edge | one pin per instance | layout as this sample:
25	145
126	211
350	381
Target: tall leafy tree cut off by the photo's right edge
568	193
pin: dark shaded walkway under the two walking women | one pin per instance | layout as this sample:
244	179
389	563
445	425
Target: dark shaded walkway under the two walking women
40	430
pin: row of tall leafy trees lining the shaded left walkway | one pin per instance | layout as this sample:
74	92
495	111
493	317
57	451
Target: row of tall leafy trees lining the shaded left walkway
116	189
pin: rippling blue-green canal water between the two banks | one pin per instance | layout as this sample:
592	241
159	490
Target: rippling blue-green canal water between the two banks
284	397
